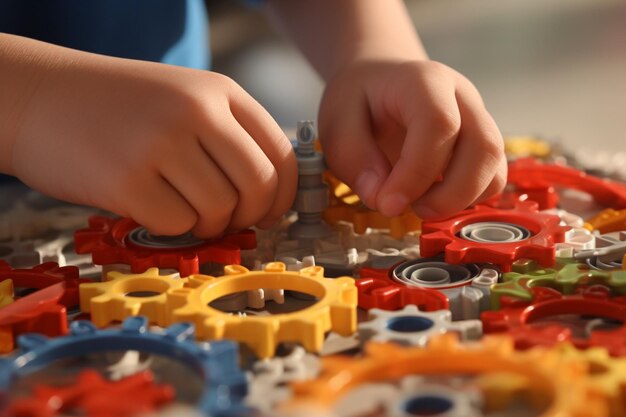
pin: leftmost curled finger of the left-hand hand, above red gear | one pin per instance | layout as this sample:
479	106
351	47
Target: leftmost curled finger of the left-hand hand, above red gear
157	206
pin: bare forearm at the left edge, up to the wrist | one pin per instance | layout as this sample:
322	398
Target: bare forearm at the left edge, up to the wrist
24	65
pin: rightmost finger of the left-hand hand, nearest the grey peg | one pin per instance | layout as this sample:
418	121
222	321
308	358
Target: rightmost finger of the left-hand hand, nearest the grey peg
274	144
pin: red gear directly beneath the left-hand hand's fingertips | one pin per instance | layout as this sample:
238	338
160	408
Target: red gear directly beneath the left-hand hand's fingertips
123	241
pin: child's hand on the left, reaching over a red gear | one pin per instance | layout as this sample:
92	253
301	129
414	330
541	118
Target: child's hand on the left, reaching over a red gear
173	148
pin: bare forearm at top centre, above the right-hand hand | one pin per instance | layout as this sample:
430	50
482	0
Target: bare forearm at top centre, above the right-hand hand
334	33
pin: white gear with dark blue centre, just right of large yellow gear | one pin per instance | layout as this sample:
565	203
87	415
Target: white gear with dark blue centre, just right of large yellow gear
412	327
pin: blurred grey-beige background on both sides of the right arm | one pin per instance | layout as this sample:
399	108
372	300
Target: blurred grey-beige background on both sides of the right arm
551	68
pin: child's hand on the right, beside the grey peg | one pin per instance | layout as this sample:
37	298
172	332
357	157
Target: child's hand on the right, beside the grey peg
391	129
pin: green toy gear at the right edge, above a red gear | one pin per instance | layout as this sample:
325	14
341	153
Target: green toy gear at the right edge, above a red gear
566	280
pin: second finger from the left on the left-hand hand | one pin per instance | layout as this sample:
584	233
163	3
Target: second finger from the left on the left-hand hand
205	187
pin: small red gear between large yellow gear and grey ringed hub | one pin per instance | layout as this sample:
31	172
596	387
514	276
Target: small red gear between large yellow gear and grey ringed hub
377	290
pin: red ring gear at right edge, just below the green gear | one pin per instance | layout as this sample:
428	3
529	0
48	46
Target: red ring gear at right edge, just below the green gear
517	318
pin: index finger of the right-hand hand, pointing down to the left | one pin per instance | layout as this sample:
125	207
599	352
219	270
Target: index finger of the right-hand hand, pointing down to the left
428	108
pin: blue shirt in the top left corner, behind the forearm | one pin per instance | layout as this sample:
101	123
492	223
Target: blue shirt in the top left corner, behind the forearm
169	31
